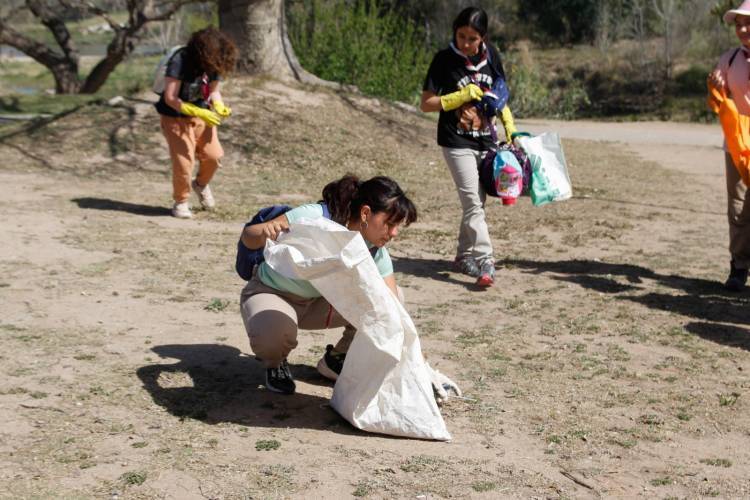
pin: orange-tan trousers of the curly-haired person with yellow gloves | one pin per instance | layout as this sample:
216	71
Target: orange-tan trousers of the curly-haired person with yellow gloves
189	139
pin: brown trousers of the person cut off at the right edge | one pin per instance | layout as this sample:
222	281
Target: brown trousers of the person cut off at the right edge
738	212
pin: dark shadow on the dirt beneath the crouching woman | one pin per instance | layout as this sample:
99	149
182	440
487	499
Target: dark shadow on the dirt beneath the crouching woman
227	386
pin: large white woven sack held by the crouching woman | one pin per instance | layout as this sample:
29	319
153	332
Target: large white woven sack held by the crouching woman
385	384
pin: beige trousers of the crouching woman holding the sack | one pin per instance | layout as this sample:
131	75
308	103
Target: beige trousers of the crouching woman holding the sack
272	318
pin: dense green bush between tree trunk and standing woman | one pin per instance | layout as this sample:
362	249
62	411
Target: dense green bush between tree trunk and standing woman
361	43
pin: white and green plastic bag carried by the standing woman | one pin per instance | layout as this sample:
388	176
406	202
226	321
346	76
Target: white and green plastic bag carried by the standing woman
549	172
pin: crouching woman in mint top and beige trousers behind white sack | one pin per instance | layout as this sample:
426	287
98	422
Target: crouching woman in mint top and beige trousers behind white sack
274	307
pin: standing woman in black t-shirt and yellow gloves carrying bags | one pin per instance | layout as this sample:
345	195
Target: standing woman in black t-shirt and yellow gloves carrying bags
456	80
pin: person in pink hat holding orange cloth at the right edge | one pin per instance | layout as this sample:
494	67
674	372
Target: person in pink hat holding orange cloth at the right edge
729	97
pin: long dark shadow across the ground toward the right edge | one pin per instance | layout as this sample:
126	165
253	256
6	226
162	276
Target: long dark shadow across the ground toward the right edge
697	298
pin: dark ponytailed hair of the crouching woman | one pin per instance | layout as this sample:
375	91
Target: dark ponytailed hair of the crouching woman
346	196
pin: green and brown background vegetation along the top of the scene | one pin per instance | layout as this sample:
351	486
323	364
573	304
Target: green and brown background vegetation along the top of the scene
621	59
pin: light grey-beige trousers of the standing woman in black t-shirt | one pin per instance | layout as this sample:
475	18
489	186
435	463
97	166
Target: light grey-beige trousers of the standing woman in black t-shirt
473	235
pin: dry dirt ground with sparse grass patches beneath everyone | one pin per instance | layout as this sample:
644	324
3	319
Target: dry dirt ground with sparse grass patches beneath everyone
606	362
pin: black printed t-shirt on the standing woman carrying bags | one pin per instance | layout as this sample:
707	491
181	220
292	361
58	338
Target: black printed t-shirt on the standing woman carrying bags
448	73
